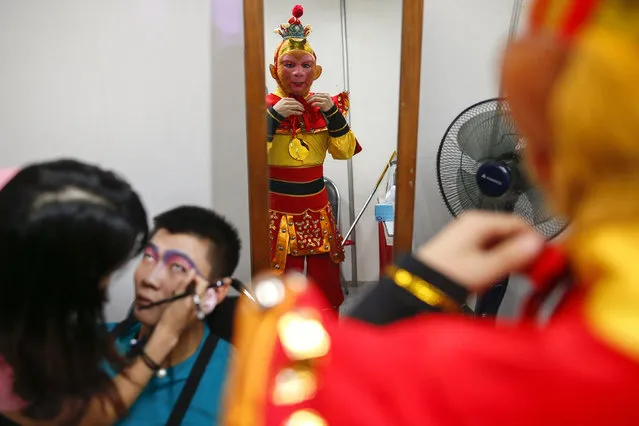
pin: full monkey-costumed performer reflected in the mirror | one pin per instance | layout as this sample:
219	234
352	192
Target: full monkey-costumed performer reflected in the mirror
302	127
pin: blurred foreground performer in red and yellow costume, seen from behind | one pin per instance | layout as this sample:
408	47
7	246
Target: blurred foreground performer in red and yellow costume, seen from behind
573	89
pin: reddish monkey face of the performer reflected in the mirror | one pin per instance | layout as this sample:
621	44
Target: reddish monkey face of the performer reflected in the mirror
296	71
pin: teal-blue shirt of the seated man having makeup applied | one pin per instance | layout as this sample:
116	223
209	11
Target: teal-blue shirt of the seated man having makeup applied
156	402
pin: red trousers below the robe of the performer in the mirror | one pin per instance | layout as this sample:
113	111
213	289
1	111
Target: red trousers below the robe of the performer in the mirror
323	271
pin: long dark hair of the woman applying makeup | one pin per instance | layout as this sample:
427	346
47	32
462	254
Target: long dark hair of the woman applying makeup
65	227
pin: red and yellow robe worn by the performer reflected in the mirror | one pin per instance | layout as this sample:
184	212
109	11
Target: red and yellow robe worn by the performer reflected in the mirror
301	219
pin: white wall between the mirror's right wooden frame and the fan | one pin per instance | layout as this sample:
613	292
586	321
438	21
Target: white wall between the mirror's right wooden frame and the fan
460	59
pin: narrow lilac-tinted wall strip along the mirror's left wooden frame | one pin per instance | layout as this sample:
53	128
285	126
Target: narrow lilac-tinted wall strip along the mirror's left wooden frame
225	59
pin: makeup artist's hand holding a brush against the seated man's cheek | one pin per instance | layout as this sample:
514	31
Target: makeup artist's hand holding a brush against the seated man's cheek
183	312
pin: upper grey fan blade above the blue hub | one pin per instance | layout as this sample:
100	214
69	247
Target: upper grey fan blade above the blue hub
489	134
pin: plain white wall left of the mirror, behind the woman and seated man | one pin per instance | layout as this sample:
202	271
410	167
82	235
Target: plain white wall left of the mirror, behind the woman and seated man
127	84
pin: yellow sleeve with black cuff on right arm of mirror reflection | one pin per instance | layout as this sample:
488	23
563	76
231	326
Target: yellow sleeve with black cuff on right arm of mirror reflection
343	143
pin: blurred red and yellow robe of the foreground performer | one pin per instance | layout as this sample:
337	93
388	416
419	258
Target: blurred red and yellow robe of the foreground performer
298	362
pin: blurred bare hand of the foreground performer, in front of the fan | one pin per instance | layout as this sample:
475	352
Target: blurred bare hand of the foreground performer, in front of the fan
481	248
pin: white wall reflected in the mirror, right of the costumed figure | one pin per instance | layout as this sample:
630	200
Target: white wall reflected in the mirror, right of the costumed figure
374	50
